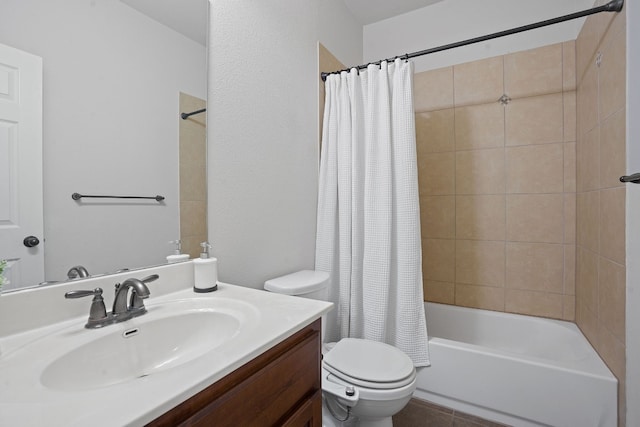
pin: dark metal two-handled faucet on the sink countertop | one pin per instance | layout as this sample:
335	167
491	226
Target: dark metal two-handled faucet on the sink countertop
98	316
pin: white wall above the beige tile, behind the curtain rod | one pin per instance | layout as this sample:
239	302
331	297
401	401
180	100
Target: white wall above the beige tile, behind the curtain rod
451	21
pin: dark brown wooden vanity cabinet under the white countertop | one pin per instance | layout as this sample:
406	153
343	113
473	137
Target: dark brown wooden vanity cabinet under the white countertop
281	387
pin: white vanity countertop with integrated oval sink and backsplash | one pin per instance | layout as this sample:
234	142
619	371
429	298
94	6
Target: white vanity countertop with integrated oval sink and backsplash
58	366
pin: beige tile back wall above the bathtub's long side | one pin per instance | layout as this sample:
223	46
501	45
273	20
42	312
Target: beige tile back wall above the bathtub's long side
497	182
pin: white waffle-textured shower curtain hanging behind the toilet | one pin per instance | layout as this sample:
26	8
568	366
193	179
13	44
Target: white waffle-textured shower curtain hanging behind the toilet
368	231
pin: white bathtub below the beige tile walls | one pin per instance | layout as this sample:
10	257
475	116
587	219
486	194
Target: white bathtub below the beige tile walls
514	369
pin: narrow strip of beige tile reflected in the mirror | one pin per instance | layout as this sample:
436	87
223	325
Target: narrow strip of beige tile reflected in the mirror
193	176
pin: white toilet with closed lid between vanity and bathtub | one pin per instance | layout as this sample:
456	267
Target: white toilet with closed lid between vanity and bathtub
364	383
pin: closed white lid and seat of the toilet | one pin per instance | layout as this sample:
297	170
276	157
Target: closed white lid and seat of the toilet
369	363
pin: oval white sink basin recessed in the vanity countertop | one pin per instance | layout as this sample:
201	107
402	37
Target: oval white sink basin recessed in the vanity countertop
149	346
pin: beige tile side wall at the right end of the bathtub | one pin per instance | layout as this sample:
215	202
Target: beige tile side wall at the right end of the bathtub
601	158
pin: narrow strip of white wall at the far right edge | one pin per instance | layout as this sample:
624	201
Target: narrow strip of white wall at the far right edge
633	222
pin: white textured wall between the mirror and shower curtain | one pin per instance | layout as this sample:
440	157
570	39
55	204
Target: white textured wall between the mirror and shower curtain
262	130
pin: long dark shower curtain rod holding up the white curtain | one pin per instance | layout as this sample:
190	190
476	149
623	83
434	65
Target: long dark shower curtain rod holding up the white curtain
612	6
